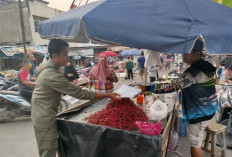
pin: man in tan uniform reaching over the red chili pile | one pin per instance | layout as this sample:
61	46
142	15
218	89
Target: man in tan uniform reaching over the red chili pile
50	84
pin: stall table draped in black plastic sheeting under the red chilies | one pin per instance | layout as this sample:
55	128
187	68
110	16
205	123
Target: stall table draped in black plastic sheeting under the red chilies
78	137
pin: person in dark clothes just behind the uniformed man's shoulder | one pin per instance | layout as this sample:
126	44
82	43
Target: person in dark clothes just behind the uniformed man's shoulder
70	73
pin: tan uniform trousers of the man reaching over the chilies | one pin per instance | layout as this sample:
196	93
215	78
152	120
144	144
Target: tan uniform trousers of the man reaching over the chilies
47	141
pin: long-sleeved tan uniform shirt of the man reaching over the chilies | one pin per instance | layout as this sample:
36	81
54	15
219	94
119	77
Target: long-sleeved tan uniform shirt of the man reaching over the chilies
50	84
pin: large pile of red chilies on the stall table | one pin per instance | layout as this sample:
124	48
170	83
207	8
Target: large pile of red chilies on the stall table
121	114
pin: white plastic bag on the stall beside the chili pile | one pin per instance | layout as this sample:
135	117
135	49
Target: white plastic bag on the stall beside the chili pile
158	110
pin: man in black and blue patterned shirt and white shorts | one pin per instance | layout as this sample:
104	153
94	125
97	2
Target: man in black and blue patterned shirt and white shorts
199	96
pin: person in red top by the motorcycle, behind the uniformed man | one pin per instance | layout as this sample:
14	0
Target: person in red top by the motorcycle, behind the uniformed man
26	84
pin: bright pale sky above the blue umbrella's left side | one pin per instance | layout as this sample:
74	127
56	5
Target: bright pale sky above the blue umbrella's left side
64	5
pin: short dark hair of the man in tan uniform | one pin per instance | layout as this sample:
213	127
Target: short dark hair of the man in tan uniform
55	46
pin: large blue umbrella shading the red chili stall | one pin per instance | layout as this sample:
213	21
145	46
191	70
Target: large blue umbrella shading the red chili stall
170	26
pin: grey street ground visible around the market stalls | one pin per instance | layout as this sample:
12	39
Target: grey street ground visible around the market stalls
18	138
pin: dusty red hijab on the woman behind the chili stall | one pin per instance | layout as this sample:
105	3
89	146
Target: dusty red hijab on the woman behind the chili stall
102	71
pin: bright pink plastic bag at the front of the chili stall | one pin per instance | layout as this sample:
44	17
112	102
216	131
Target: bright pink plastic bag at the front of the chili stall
149	128
